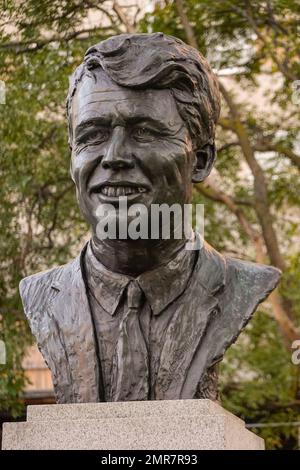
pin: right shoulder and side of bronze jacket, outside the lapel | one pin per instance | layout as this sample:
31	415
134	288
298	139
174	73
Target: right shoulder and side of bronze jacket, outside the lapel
247	285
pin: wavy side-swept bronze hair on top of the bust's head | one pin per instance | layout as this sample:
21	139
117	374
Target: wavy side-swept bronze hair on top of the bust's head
157	61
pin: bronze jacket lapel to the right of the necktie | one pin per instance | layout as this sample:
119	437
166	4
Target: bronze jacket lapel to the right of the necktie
196	311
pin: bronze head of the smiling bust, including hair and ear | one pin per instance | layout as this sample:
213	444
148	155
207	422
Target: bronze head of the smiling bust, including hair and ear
142	111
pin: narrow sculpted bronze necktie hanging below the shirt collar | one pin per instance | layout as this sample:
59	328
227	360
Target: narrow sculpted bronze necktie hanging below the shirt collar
130	370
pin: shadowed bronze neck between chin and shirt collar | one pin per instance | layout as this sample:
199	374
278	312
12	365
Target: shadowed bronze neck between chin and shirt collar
133	257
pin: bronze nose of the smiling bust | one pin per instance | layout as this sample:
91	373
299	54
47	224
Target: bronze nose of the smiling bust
117	155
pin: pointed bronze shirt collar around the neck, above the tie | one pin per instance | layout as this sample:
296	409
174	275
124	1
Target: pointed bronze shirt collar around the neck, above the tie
161	285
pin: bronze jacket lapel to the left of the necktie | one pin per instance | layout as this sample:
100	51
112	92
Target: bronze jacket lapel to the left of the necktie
70	310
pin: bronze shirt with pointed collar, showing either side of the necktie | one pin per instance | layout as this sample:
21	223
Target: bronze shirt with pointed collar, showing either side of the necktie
161	287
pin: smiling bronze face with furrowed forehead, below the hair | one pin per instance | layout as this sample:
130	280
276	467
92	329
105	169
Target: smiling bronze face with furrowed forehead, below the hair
129	143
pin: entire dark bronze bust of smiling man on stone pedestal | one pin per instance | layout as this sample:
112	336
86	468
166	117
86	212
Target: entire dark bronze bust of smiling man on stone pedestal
141	319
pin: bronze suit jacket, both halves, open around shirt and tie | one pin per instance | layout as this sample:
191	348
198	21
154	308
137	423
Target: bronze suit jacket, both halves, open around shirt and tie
221	297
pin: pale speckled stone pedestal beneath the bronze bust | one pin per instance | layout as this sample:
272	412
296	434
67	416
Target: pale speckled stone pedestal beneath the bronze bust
151	425
